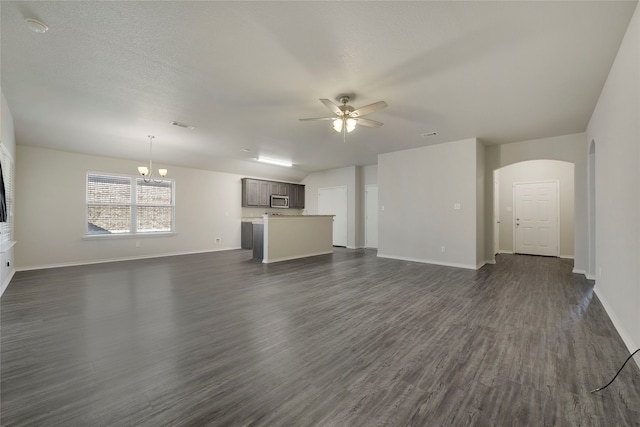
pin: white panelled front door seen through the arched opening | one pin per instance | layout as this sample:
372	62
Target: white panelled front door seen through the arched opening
536	218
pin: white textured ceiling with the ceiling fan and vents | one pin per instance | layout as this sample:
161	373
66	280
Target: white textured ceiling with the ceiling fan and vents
107	74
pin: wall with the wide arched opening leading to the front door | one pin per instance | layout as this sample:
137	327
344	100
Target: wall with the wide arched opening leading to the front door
567	148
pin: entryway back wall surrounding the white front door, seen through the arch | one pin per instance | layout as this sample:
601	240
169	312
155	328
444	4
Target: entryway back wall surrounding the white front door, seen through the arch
538	170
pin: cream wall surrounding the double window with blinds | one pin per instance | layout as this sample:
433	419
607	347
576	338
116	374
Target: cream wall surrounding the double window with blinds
50	211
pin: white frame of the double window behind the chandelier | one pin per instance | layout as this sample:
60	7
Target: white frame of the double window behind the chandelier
133	205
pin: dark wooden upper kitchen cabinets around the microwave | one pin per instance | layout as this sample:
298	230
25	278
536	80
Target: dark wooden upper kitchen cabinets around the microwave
256	193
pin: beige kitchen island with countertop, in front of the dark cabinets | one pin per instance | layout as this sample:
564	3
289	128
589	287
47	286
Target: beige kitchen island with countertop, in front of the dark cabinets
284	237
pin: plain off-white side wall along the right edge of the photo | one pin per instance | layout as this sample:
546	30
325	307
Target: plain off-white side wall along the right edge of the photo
615	129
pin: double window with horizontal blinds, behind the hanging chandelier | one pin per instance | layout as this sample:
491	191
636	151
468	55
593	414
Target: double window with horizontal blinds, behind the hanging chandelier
120	205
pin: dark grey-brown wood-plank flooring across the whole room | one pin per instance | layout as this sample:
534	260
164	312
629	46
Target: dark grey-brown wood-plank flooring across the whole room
346	339
